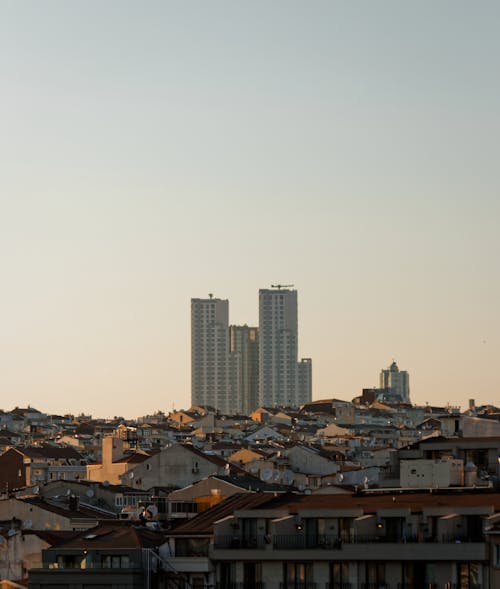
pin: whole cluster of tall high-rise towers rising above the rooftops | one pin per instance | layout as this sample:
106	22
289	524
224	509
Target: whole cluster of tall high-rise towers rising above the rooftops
236	369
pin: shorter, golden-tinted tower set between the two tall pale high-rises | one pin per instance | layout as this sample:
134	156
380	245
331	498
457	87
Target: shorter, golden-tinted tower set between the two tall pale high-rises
244	358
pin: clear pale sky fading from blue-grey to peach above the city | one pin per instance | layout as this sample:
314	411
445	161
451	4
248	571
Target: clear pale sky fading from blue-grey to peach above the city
155	151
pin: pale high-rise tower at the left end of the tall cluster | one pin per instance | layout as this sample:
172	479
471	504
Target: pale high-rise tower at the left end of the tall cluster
209	353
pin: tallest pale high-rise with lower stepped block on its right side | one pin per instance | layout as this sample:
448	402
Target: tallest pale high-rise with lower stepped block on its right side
278	367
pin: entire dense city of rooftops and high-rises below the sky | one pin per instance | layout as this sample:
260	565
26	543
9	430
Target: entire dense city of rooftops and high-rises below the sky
256	484
